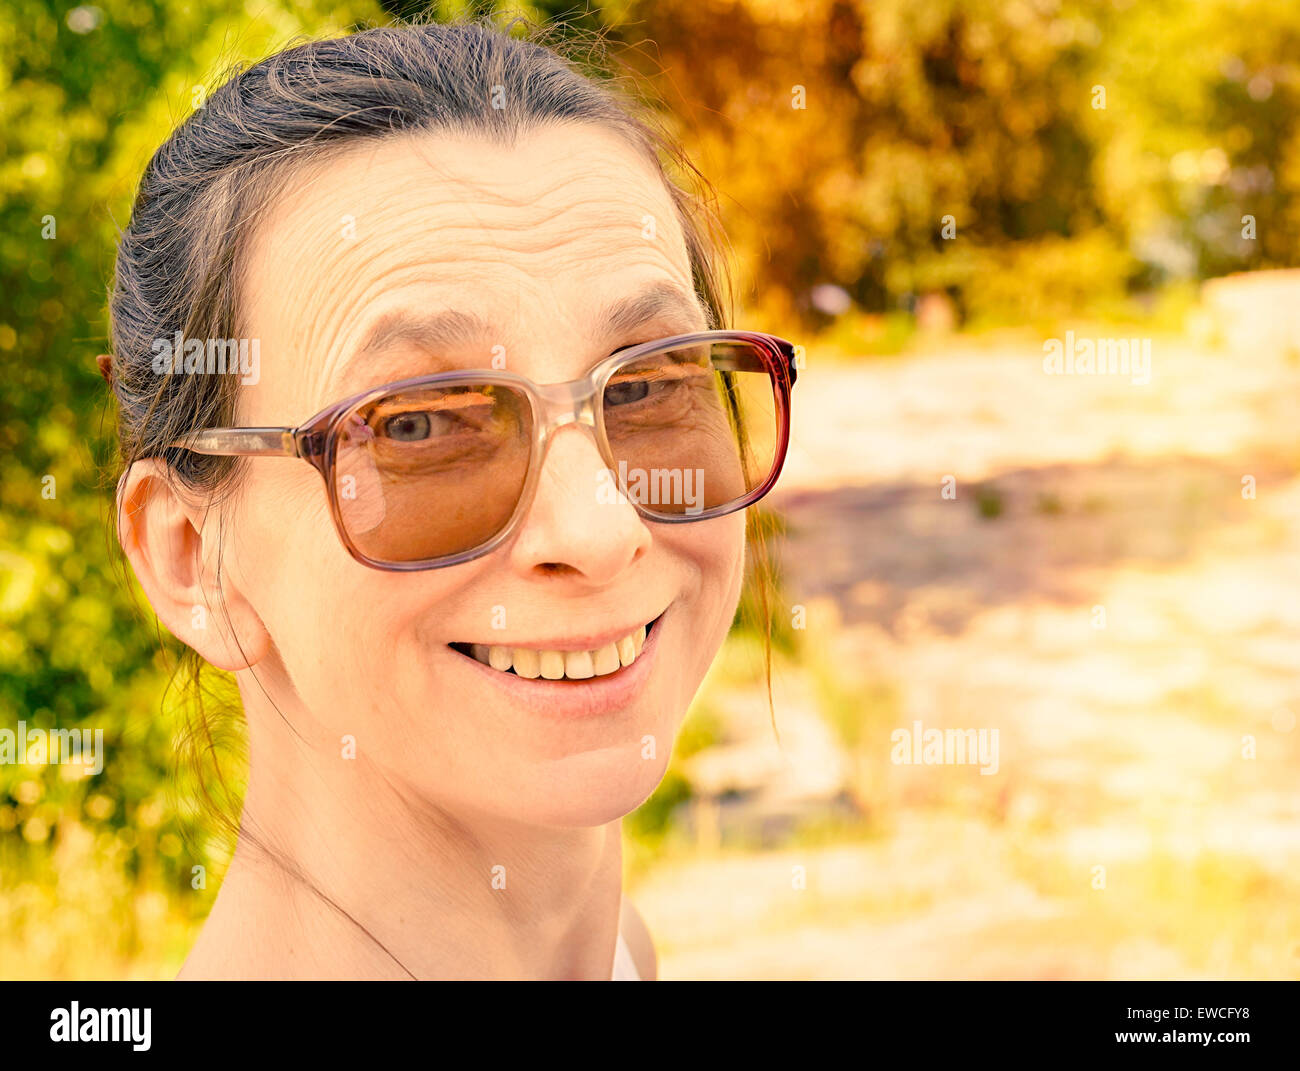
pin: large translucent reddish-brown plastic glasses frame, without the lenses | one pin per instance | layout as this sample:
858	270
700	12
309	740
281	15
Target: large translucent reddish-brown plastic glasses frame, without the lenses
553	407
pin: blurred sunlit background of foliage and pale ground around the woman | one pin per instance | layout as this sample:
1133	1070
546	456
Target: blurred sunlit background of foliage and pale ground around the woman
1104	573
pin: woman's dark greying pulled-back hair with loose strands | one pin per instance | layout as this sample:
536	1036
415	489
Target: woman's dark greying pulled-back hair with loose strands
180	259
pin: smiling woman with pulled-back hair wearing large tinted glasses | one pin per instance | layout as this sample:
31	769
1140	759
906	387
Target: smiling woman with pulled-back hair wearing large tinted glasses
465	290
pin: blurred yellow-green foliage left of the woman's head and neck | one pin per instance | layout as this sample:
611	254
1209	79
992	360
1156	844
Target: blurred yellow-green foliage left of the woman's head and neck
79	648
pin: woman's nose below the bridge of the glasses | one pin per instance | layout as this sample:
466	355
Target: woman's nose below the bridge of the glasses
577	526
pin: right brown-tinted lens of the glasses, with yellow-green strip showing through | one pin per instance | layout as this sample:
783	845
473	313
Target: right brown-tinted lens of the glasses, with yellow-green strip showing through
694	430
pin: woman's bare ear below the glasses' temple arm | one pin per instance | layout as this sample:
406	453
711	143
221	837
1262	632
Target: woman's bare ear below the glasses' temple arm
172	545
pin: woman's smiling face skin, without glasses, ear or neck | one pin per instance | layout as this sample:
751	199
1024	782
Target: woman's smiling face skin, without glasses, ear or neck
535	241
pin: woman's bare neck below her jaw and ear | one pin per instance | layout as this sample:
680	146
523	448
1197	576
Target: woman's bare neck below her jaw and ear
344	873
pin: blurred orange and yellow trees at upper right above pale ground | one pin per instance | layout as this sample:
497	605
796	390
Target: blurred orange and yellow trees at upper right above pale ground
1020	155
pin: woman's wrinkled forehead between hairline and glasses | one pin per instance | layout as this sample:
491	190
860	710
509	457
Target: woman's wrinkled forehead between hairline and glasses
534	240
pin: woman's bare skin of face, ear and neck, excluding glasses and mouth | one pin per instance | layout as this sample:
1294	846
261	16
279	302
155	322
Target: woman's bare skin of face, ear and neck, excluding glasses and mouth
452	778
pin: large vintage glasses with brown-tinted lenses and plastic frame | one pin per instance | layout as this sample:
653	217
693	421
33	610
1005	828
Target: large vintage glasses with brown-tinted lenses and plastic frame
441	470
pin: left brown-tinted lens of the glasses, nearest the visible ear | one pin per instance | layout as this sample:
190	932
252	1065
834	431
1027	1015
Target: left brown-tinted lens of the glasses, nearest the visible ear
432	472
